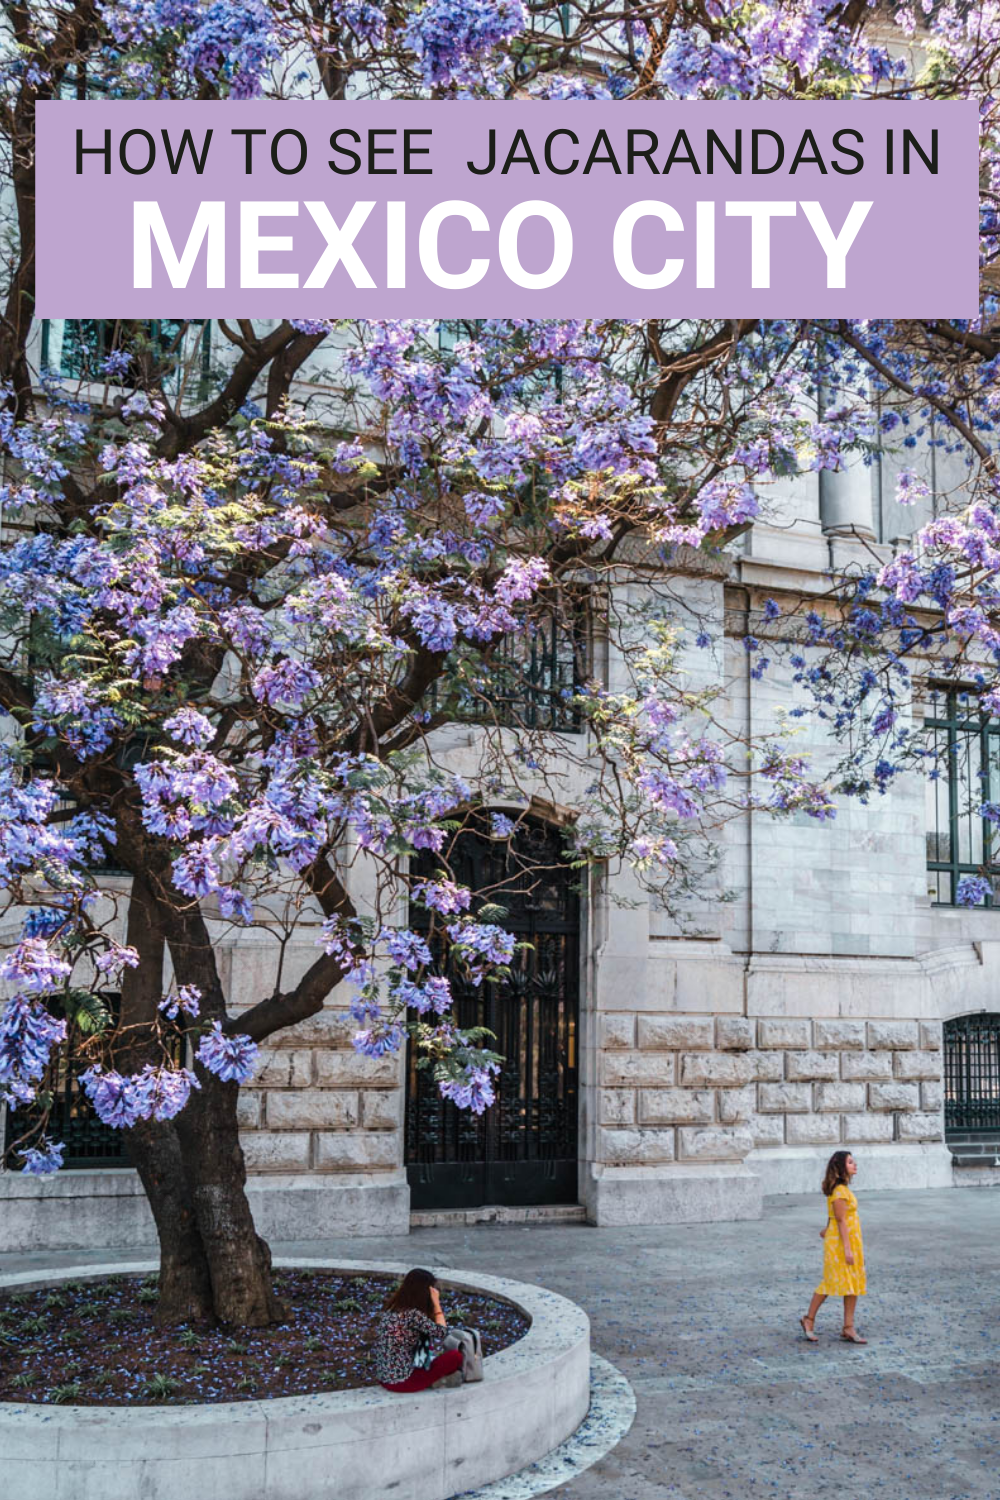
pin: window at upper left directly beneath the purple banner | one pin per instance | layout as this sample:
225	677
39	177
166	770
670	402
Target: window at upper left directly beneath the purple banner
76	349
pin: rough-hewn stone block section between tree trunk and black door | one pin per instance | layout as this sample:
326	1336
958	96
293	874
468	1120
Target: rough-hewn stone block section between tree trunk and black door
317	1106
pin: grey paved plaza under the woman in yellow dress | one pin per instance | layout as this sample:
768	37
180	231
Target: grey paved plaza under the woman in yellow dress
732	1405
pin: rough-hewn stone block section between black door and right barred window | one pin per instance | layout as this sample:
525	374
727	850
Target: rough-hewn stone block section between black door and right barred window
713	1090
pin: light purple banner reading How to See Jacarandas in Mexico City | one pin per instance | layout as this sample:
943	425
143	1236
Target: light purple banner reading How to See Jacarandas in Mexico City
479	209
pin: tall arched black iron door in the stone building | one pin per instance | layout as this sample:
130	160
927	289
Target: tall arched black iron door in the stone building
524	1150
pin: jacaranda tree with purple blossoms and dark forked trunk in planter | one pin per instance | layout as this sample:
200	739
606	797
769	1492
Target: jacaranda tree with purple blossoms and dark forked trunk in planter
233	620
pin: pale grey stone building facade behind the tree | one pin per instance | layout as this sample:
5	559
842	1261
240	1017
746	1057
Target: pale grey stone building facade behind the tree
713	1063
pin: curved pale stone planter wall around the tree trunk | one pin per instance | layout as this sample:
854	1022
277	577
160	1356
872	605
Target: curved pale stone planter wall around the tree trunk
356	1445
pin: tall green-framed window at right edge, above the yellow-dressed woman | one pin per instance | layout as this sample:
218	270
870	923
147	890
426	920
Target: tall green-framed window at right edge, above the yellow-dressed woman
965	778
